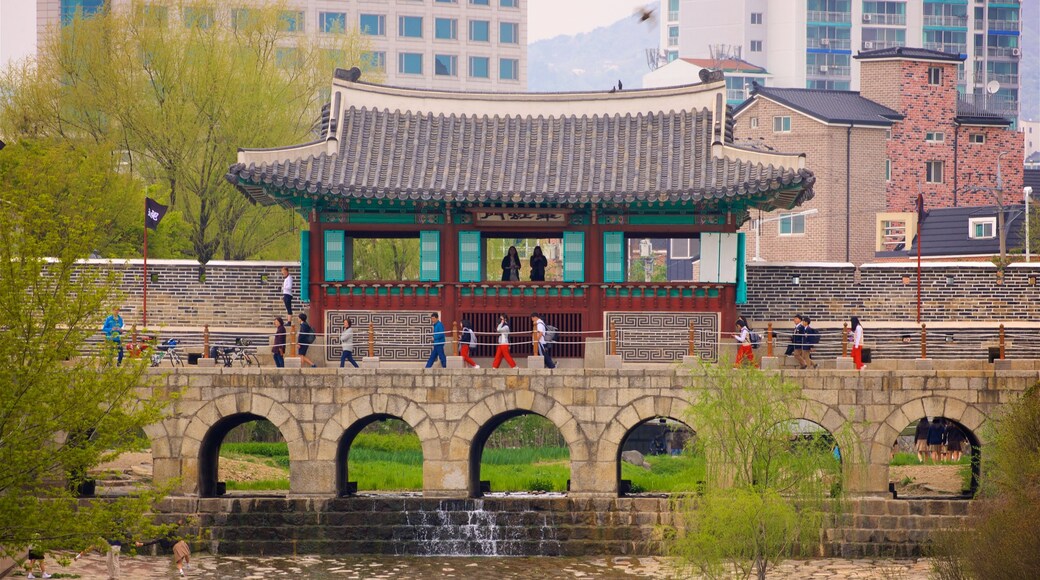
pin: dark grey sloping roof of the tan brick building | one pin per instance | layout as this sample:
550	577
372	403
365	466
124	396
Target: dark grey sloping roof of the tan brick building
829	107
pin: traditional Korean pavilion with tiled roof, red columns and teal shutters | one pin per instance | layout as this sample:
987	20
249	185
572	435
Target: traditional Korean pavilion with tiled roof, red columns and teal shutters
592	170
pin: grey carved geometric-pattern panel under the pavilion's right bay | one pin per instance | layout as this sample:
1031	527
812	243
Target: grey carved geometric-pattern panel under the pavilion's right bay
658	337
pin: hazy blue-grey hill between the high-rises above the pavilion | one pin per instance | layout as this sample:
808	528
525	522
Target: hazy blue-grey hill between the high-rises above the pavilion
592	61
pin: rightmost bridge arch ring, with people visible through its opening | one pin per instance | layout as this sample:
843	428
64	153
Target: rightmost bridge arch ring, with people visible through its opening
965	415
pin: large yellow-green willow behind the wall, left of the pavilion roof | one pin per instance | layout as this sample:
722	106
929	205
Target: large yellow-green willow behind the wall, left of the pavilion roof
177	89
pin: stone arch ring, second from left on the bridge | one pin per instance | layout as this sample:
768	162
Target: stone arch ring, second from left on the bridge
339	433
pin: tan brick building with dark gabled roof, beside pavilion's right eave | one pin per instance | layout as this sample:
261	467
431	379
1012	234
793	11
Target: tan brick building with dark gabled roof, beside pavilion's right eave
844	136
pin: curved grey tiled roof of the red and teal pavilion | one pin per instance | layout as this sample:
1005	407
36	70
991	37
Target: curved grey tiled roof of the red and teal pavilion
667	157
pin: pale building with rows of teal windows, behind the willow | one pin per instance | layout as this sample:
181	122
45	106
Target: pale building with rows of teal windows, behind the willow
451	45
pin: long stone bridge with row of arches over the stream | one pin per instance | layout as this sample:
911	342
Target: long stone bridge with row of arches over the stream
454	412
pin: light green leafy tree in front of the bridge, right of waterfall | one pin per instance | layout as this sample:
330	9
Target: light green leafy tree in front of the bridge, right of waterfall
769	487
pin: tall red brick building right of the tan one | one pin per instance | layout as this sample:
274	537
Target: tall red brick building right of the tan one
945	147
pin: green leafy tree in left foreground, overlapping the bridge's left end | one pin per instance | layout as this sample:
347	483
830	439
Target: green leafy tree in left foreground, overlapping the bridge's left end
61	412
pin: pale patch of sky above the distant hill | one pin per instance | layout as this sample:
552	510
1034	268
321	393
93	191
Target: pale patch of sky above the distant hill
552	18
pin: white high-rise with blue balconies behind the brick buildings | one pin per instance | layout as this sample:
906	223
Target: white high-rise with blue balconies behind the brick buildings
811	43
